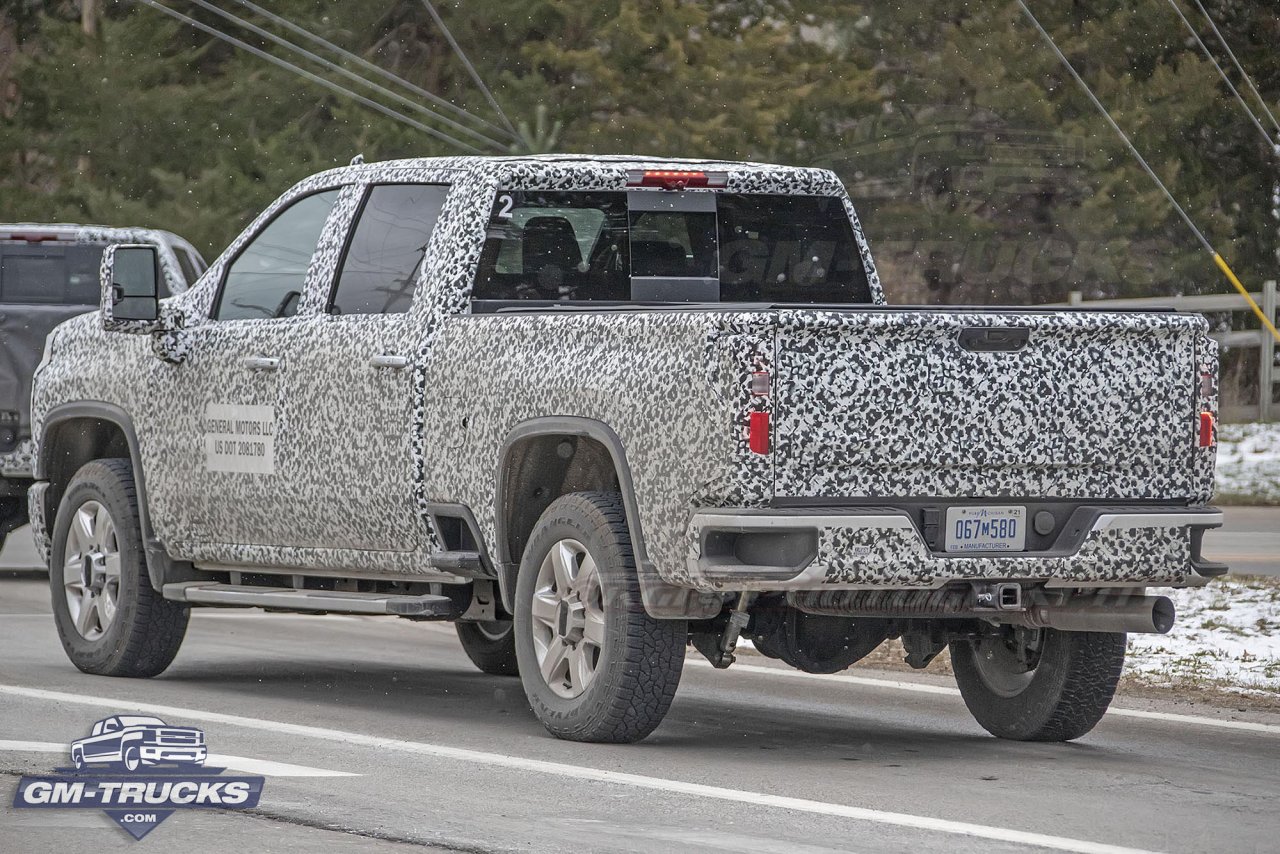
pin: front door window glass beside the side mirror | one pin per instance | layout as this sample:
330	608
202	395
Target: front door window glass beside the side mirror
267	280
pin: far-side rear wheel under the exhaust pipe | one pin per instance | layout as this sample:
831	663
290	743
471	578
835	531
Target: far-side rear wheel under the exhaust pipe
1039	684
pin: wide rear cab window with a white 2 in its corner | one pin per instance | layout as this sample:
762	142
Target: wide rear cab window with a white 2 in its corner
660	246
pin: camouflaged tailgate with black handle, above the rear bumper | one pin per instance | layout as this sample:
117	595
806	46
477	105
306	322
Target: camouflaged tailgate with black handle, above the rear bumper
929	404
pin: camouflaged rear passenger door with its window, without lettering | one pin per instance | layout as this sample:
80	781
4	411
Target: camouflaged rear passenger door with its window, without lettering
356	375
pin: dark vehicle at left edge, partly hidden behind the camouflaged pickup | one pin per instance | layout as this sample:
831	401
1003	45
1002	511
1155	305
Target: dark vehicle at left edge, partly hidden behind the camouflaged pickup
51	273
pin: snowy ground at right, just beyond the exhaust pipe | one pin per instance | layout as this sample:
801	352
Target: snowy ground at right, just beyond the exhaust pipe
1227	637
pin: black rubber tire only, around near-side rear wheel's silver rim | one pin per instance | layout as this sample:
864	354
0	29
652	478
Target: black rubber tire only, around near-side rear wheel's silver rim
641	659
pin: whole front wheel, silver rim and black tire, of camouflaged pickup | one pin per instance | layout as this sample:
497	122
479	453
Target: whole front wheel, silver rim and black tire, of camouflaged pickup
109	618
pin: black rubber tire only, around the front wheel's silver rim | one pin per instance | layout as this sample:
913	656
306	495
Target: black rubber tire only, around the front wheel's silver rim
147	631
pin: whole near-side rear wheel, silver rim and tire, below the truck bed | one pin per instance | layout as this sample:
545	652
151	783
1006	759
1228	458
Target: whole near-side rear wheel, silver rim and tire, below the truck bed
595	665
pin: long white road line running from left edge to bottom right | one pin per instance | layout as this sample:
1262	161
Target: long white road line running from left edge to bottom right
596	775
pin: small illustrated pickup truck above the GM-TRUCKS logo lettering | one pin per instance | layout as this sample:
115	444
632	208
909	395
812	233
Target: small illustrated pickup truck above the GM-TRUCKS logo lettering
132	741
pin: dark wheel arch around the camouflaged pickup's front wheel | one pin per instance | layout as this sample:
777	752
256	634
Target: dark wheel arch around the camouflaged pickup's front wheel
75	435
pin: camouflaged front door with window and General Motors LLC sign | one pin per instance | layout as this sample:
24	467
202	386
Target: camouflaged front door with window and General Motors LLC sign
227	482
